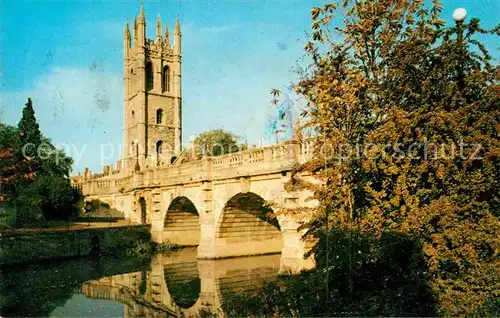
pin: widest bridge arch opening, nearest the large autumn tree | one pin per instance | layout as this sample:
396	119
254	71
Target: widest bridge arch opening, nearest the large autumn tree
247	227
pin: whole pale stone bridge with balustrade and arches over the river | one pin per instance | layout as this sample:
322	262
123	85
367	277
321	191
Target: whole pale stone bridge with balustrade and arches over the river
227	205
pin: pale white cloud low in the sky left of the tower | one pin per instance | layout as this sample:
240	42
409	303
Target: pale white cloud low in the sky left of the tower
74	107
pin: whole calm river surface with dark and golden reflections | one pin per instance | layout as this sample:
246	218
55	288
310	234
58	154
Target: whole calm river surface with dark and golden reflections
171	284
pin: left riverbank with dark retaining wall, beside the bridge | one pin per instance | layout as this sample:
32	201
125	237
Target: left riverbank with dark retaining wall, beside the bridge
23	246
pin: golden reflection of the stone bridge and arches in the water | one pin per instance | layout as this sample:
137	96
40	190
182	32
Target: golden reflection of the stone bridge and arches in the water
180	285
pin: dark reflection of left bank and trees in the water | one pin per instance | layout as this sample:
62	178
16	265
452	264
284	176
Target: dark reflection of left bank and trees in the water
36	290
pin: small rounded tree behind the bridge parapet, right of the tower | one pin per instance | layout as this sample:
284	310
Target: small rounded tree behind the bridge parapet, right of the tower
217	142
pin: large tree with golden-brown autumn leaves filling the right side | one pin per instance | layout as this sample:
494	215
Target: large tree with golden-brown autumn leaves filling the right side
396	82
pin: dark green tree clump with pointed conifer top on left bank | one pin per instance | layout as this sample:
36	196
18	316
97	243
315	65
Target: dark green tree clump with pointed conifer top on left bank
34	174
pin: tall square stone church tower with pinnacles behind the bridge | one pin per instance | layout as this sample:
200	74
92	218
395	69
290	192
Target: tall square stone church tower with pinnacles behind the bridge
153	95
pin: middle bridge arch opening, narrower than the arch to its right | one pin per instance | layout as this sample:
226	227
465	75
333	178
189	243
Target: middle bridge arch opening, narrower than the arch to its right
181	224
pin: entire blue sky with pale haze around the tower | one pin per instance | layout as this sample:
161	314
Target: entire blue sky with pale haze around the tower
67	56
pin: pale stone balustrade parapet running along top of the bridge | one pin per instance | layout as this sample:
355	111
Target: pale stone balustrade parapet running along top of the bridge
270	159
